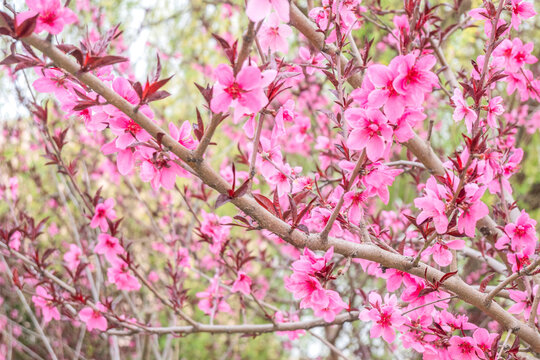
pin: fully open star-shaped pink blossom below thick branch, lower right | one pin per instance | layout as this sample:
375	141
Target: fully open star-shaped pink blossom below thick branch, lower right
386	316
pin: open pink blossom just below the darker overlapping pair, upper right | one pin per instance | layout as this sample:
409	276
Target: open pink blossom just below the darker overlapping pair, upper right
370	131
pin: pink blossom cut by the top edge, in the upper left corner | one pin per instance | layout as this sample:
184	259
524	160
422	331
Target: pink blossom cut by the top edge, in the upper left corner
52	15
